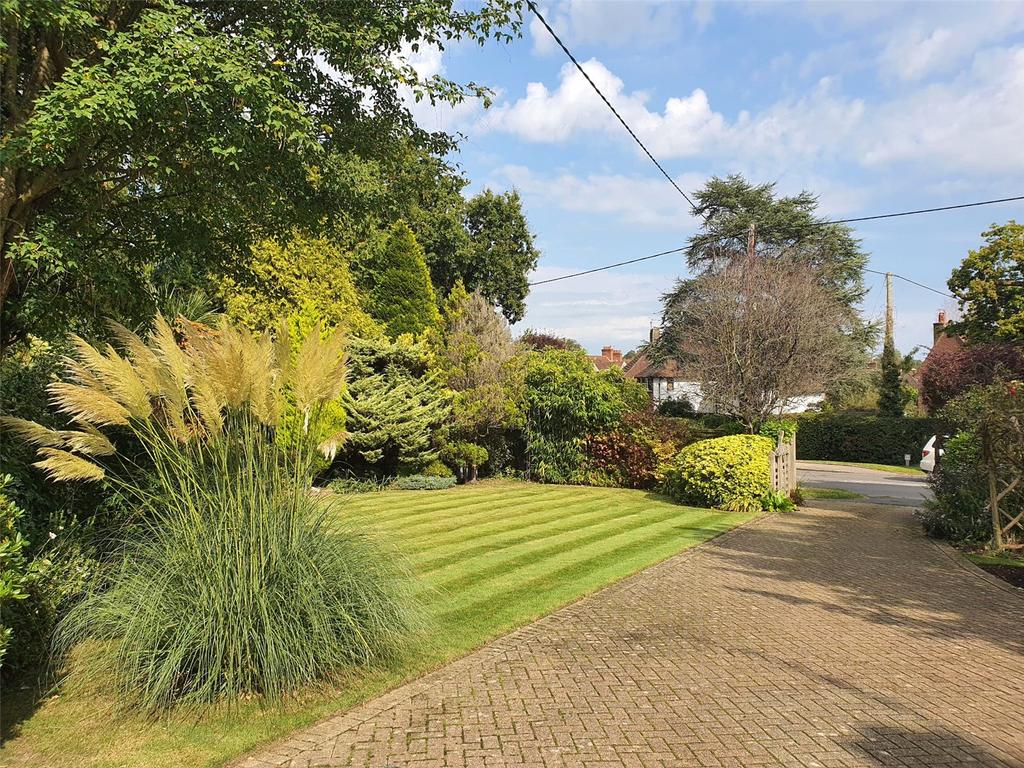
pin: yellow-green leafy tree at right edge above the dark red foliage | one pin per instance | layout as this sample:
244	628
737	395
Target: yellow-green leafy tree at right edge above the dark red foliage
990	286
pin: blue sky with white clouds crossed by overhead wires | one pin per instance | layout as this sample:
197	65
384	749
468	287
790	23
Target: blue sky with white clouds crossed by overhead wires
872	107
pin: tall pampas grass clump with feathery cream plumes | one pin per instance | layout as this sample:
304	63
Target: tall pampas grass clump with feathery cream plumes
234	582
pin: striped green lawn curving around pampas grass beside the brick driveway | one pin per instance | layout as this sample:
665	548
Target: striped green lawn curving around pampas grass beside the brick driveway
489	558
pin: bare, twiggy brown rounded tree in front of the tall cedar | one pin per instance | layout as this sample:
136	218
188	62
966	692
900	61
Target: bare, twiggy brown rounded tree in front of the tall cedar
757	334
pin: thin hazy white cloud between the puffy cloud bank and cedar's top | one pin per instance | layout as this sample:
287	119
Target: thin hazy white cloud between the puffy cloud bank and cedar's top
647	201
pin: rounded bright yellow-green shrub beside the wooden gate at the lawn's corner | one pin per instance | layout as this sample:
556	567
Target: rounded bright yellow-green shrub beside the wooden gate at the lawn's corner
731	473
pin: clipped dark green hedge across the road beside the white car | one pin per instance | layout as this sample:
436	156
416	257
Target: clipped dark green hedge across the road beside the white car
860	438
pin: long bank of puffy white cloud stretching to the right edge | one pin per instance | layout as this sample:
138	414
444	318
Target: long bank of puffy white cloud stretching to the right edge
972	123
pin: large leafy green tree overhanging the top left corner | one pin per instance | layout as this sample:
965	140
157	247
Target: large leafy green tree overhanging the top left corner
164	138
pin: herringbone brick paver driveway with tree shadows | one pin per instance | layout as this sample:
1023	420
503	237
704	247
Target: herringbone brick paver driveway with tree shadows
822	638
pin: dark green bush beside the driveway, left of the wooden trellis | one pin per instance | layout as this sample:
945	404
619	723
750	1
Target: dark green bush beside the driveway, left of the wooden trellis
959	509
